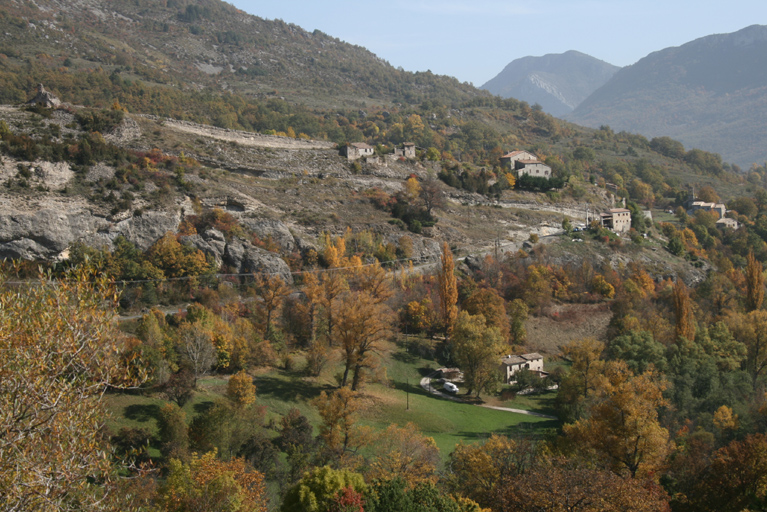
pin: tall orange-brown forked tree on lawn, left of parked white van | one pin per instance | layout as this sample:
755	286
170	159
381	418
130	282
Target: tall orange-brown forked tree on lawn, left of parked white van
362	325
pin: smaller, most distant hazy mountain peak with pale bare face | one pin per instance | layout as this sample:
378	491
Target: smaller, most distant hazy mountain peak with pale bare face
557	82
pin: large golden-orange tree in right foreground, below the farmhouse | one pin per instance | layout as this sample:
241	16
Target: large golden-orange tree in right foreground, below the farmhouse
622	426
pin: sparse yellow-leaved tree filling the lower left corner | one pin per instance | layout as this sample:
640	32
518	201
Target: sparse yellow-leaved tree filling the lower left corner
59	352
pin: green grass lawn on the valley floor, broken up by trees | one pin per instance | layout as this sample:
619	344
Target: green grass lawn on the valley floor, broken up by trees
385	403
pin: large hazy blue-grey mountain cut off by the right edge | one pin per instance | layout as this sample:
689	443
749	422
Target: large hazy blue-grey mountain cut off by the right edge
710	93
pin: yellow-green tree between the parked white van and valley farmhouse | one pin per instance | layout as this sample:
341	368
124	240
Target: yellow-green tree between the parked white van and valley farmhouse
476	348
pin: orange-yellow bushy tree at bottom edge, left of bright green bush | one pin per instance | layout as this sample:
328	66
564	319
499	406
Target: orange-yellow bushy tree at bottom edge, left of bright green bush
206	483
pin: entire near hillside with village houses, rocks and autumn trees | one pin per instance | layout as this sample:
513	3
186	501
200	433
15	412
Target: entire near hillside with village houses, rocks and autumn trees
252	268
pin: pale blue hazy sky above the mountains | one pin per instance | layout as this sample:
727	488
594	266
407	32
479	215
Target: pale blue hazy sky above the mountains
474	40
